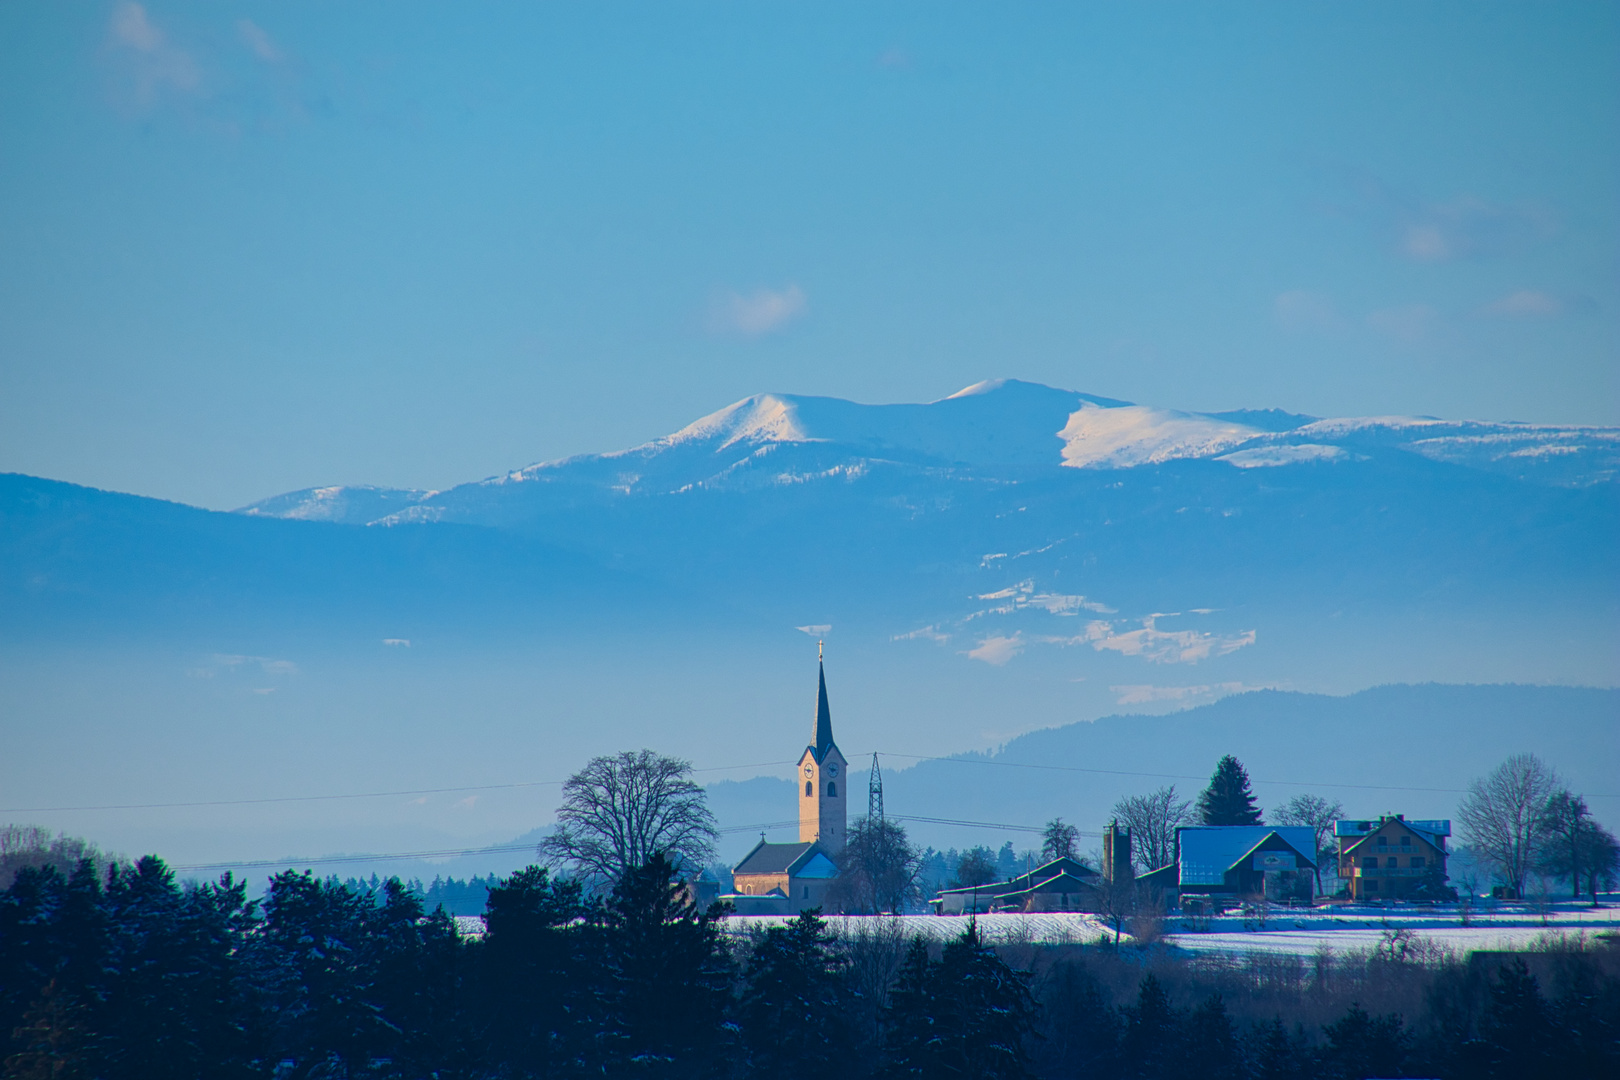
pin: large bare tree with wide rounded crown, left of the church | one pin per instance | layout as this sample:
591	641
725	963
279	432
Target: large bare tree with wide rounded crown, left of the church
623	810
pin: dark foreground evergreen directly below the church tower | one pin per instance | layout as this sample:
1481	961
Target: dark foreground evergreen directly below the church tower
795	1013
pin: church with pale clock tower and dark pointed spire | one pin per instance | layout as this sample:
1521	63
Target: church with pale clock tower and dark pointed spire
788	878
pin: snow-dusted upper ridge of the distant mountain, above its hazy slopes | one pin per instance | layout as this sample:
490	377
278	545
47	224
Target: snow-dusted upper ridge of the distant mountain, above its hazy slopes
1005	430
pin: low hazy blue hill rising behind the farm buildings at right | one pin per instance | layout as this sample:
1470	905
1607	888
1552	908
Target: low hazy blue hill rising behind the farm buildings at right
1362	749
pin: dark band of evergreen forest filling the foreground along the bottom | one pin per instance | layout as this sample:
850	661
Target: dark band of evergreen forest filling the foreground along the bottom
137	977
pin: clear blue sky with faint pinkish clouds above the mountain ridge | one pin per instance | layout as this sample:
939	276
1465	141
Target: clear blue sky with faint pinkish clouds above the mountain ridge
250	249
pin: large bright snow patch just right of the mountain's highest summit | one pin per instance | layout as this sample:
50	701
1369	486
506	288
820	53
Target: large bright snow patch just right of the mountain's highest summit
1138	435
